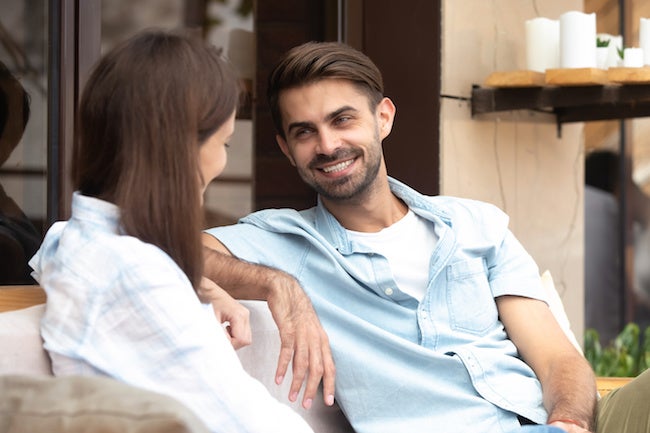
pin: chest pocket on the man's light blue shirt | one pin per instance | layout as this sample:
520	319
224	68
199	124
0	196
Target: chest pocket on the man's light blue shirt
469	299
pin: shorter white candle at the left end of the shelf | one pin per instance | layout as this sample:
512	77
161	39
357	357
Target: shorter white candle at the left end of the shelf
542	44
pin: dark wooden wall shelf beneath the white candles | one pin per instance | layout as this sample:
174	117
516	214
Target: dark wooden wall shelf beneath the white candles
567	103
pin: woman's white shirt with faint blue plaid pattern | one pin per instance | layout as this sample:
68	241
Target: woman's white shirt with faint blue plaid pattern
119	307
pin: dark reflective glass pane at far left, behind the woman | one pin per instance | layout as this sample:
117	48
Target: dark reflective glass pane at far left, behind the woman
23	134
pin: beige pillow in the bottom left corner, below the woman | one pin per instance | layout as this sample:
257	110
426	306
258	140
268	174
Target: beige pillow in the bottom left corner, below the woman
76	404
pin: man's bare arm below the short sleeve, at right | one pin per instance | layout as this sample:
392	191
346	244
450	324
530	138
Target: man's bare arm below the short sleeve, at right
568	382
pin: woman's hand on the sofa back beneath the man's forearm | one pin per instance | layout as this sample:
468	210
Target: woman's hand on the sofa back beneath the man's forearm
229	312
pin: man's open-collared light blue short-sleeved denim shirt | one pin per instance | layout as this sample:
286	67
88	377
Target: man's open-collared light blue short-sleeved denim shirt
441	364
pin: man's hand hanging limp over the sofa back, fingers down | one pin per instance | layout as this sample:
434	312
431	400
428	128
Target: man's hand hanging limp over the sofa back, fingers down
303	340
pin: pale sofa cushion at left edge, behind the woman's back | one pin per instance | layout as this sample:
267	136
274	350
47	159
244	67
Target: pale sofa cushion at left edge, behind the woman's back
21	347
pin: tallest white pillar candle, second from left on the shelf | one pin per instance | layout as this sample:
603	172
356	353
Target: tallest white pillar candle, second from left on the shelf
577	40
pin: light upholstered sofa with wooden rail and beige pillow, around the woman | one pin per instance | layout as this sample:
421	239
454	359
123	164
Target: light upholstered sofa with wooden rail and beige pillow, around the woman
32	400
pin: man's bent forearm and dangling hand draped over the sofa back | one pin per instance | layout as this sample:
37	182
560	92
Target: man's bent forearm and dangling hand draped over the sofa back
301	334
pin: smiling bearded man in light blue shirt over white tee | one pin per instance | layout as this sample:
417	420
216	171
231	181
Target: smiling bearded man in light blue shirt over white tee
435	313
